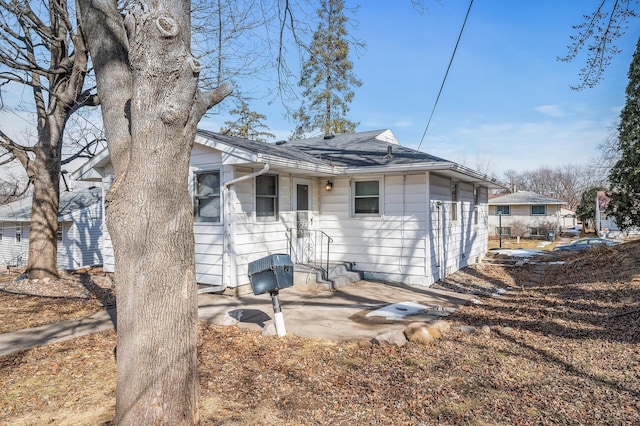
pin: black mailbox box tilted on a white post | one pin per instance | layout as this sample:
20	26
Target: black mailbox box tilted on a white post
271	273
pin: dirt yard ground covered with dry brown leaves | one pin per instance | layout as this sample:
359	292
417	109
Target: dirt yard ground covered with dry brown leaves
559	347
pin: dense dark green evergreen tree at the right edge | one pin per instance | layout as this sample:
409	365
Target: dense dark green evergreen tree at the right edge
625	174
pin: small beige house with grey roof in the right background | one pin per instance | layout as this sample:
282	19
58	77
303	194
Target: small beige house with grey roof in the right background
525	213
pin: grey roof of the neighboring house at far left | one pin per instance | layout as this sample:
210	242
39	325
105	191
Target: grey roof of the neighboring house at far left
20	211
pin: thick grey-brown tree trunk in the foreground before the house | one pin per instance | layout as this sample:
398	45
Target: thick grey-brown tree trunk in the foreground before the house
147	82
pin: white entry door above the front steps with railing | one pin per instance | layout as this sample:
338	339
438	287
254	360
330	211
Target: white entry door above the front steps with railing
303	239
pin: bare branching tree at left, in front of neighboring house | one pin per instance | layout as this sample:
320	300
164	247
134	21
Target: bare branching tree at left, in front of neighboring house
43	51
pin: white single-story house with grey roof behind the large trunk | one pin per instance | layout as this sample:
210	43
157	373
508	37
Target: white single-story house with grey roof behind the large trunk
390	212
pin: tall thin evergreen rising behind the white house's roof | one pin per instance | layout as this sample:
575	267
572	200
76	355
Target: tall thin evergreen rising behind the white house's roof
327	76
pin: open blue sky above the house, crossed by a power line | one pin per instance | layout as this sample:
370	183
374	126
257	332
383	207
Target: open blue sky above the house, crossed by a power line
507	102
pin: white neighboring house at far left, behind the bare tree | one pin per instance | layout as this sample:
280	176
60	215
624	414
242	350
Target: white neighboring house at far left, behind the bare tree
79	230
